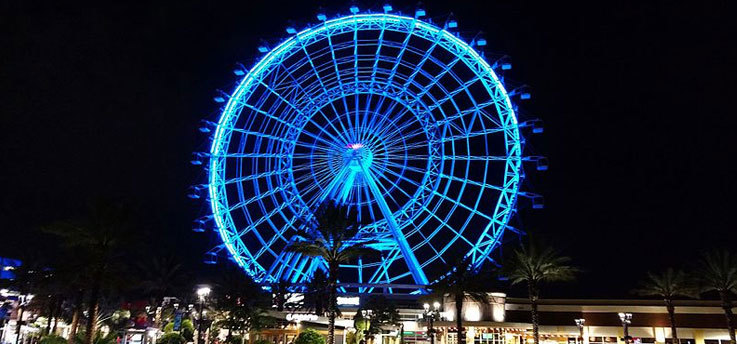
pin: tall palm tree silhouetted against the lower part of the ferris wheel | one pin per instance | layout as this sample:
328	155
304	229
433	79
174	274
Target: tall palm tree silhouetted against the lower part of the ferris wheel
334	238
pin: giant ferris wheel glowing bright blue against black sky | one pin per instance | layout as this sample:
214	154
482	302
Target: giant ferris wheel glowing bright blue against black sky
398	119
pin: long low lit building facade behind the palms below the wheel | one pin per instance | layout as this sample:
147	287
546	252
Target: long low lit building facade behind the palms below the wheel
507	321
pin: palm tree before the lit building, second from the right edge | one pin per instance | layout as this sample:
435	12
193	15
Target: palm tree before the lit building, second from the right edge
668	285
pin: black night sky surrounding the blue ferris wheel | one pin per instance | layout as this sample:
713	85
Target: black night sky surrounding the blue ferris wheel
637	100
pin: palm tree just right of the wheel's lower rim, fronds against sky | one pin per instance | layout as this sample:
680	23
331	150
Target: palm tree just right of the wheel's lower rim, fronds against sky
534	265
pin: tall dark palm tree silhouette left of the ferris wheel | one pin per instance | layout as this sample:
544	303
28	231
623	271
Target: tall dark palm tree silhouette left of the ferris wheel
101	240
